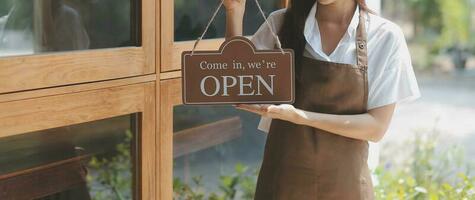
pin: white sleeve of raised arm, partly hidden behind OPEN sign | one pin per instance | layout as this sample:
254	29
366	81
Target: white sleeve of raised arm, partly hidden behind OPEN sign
263	39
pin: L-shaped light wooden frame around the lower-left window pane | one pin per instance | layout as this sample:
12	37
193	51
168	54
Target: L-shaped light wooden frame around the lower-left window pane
91	104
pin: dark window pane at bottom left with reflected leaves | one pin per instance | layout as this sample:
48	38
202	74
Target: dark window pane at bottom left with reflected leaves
95	160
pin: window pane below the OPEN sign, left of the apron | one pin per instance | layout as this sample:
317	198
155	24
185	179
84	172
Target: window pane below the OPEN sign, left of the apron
212	145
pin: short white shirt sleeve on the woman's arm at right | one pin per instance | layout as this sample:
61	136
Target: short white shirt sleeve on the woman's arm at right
396	83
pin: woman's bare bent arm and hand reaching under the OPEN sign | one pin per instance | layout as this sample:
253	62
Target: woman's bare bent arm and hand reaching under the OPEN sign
369	126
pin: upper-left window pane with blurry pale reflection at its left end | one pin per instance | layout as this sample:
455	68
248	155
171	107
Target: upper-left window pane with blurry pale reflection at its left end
29	27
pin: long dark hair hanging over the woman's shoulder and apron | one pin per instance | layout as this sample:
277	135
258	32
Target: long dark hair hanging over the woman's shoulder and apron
291	33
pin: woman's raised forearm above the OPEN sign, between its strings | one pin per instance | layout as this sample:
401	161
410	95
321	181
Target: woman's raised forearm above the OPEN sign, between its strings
234	16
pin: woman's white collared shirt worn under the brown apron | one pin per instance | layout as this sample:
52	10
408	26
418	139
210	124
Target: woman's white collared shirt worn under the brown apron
391	76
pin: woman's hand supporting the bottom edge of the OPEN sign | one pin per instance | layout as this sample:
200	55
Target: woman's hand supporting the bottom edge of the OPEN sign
284	112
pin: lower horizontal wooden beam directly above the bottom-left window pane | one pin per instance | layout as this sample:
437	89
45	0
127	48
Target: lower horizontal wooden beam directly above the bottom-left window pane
30	115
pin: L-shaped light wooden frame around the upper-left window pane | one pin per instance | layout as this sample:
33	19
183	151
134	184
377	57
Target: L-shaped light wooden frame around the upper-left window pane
21	73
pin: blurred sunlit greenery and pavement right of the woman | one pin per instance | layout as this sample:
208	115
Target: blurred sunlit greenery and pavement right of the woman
428	151
